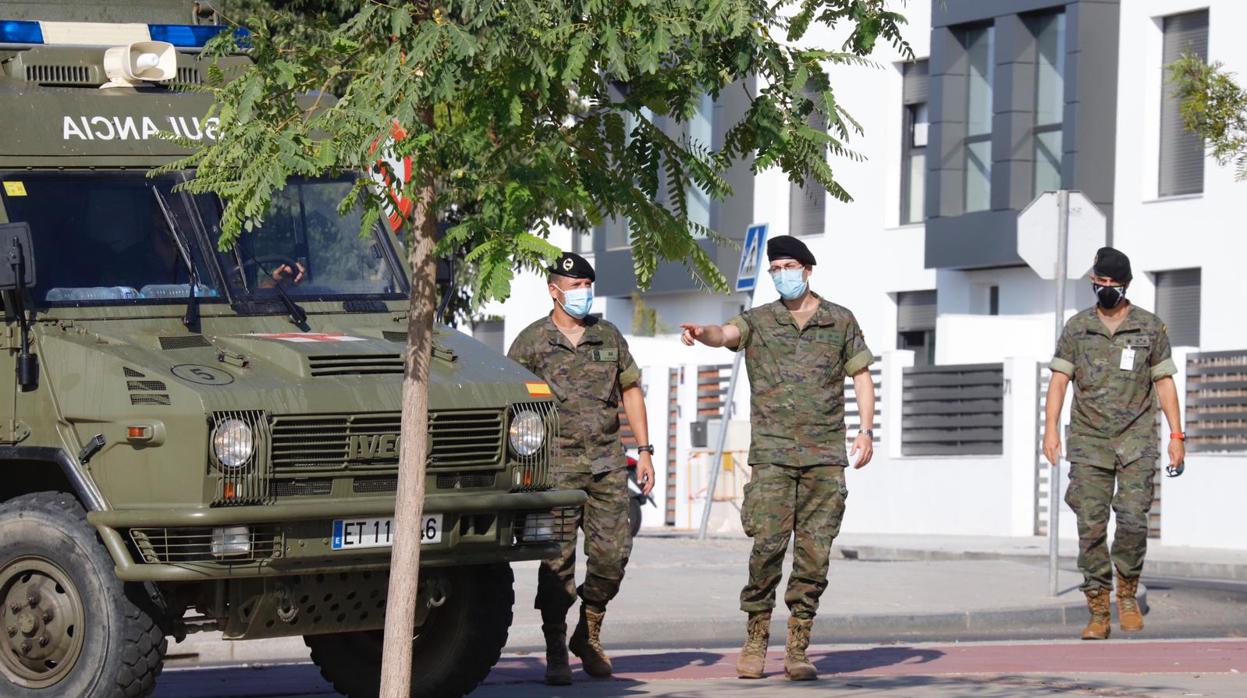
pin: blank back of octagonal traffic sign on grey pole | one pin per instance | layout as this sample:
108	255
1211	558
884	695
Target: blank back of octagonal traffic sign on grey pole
1038	227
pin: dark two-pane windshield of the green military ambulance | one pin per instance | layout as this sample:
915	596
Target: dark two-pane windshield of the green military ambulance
104	239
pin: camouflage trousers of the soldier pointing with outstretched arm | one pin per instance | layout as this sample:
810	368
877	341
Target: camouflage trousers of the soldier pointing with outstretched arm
781	503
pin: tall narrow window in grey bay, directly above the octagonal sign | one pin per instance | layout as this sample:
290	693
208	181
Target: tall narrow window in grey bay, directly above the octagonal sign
1049	32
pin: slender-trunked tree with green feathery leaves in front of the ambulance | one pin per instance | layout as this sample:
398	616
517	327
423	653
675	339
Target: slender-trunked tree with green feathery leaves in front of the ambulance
521	117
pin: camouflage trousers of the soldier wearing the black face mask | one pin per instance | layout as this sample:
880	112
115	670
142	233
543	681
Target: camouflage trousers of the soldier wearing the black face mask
1091	495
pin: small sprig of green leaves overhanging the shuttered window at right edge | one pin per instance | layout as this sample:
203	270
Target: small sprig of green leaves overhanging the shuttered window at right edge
1215	108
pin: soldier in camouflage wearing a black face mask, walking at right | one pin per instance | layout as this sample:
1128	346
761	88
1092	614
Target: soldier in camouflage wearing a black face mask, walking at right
1118	356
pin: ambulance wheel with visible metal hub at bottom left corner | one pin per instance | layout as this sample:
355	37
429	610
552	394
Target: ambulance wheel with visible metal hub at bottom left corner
70	626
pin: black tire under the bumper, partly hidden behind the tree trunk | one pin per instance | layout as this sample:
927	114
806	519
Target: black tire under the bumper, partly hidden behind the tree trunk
455	651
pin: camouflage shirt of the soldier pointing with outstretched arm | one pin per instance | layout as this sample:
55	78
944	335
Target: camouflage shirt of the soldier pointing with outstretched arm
797	382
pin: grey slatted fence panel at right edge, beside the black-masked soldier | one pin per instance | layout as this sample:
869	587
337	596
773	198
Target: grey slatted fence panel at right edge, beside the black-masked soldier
1216	402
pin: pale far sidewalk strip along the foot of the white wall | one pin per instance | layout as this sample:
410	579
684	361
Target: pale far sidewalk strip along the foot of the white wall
1163	562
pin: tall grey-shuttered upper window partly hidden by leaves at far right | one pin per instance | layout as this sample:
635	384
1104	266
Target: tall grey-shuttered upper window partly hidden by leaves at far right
1182	168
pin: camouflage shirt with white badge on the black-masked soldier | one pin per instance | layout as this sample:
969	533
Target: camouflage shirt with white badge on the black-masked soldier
1114	417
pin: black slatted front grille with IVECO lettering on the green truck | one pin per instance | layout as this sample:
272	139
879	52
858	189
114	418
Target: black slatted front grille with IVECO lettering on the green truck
370	442
